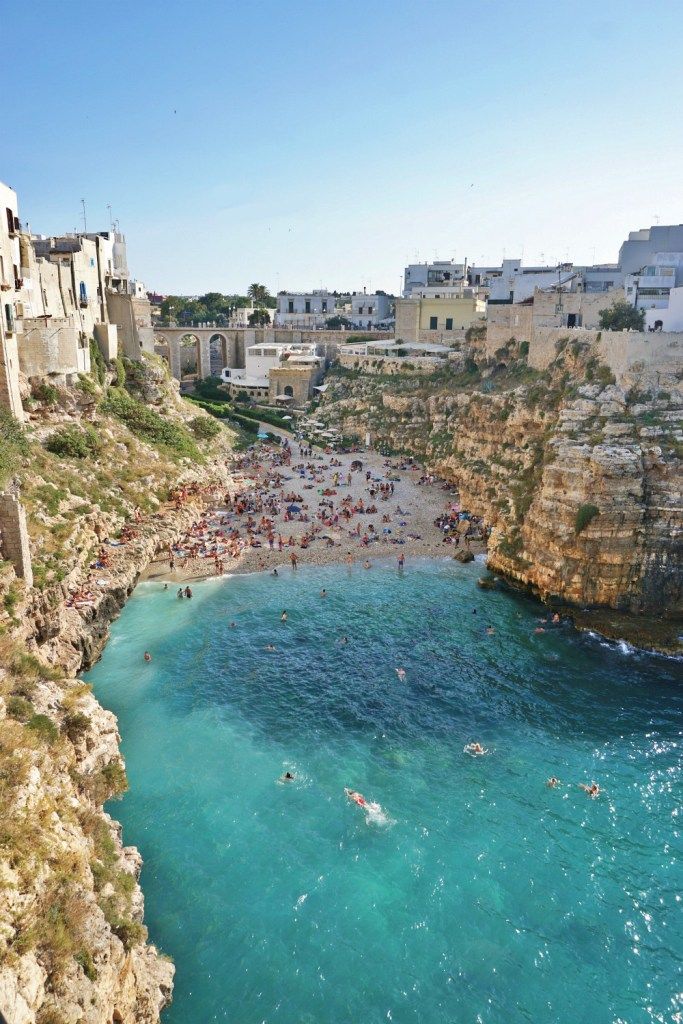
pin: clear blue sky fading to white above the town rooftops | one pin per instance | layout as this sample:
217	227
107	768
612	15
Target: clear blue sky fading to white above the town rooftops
328	144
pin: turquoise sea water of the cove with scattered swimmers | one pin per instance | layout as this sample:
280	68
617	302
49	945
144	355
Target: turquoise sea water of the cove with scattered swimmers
479	894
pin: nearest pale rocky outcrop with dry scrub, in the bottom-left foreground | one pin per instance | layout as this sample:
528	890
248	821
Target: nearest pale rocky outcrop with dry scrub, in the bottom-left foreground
72	942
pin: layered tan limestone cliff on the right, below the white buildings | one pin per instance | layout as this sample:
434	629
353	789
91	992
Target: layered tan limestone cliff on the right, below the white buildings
580	479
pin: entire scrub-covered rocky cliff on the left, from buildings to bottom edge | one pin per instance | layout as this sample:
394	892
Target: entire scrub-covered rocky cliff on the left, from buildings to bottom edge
94	458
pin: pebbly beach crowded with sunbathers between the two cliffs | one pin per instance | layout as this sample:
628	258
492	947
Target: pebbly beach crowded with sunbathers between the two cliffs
403	523
